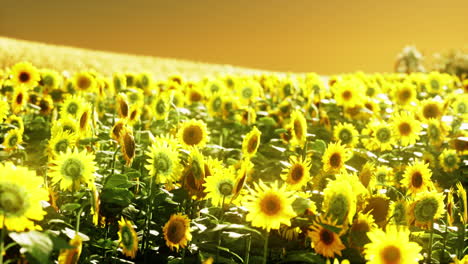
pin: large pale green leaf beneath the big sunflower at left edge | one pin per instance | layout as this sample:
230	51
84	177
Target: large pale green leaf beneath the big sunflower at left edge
38	245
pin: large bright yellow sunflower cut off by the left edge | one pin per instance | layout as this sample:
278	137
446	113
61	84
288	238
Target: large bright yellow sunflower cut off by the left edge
20	199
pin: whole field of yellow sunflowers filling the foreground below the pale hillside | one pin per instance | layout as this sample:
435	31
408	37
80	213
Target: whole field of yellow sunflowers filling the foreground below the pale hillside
254	168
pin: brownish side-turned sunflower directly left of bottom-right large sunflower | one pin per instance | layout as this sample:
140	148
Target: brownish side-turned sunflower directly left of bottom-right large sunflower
358	232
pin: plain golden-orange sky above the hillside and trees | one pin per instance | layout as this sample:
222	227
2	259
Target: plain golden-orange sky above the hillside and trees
303	36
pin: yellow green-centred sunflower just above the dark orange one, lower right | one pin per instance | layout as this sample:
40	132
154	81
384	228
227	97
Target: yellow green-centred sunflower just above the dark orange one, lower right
339	201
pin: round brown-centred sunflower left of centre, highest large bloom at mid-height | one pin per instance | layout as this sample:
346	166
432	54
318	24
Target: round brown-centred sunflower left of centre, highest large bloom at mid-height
193	133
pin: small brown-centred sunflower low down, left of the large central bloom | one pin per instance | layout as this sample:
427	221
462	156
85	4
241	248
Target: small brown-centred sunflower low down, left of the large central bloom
177	231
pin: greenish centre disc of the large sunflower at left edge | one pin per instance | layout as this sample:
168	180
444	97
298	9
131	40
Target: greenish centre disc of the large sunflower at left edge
12	201
